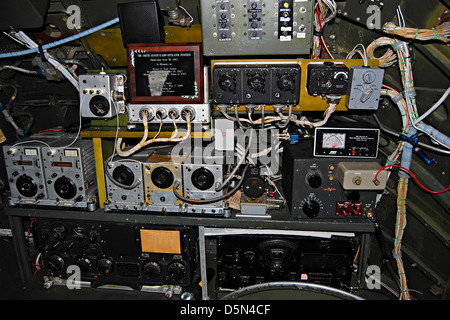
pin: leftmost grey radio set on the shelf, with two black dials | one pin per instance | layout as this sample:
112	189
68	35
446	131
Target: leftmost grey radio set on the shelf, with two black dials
56	170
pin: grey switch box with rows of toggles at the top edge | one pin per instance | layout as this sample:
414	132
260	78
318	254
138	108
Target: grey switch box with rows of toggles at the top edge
252	27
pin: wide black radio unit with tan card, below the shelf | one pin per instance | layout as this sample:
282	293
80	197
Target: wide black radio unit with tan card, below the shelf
117	254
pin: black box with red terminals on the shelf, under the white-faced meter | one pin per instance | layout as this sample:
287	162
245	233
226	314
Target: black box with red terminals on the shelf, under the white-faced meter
312	188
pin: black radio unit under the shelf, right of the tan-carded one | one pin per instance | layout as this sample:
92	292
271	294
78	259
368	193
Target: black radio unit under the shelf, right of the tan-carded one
251	259
